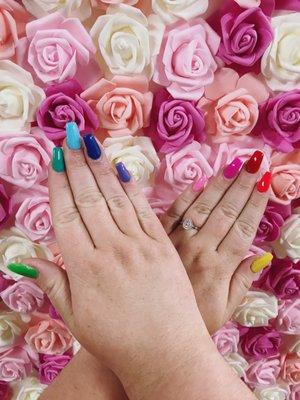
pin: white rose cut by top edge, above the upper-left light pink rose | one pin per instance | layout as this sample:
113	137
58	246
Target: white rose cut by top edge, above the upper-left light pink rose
70	8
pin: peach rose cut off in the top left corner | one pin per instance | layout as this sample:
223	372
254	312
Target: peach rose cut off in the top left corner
13	18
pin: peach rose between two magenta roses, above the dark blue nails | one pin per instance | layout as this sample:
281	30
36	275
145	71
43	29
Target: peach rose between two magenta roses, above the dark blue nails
123	104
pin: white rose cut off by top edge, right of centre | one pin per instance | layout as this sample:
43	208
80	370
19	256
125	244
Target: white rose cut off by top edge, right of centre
170	10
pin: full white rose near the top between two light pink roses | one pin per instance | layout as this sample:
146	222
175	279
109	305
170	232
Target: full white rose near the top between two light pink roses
127	39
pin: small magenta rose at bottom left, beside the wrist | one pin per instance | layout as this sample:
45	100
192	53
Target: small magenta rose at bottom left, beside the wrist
51	366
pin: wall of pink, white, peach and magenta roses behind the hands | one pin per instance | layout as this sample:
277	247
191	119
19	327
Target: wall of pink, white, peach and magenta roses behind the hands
175	90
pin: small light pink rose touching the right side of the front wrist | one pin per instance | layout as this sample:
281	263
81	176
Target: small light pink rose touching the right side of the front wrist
227	339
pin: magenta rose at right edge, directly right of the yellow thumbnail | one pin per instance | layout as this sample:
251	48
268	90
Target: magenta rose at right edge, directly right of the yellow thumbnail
282	278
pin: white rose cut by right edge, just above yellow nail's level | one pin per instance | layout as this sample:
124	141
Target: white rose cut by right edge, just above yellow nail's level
288	245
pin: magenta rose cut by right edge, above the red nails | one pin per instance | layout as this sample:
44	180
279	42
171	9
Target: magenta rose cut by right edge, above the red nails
279	122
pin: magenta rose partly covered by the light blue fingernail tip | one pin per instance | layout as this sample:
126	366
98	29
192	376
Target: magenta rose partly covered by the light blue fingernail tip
63	104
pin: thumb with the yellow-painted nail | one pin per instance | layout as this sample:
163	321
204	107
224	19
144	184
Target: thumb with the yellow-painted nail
246	273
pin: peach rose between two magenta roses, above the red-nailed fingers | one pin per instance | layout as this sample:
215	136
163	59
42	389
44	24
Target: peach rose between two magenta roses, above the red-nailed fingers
230	104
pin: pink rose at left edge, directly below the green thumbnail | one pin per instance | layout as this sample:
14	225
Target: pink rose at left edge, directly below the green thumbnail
23	296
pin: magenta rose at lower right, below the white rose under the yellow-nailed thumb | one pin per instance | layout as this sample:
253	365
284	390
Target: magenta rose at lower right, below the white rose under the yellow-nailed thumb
261	342
